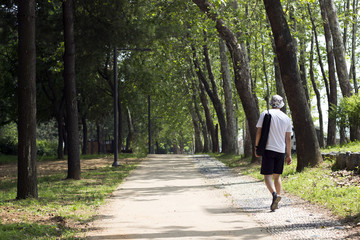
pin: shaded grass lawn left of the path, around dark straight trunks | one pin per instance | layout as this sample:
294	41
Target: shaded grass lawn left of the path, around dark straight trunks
64	207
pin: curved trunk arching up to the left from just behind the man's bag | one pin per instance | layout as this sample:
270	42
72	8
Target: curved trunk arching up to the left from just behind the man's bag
241	68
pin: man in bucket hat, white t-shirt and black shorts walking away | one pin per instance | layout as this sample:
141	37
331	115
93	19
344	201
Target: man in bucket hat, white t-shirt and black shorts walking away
279	143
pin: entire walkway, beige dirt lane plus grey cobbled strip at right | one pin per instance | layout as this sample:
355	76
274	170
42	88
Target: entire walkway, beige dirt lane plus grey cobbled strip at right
197	197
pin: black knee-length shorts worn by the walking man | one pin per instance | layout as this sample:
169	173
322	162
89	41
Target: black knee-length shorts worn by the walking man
272	162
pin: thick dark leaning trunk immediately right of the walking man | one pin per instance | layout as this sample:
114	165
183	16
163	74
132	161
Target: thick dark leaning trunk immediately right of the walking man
307	145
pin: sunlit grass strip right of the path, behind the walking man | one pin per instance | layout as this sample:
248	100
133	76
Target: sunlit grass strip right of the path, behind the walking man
338	191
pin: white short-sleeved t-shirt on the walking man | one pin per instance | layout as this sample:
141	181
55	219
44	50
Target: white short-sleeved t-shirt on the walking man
279	126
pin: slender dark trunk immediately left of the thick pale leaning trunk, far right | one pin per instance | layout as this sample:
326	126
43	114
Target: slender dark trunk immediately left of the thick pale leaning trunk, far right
332	91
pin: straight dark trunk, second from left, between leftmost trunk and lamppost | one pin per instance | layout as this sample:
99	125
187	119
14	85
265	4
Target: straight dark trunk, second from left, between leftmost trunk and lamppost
74	171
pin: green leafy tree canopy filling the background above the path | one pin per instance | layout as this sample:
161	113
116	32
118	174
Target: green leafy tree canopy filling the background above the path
169	50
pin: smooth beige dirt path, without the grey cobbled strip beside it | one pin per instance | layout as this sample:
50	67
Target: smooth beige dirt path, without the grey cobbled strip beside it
167	198
